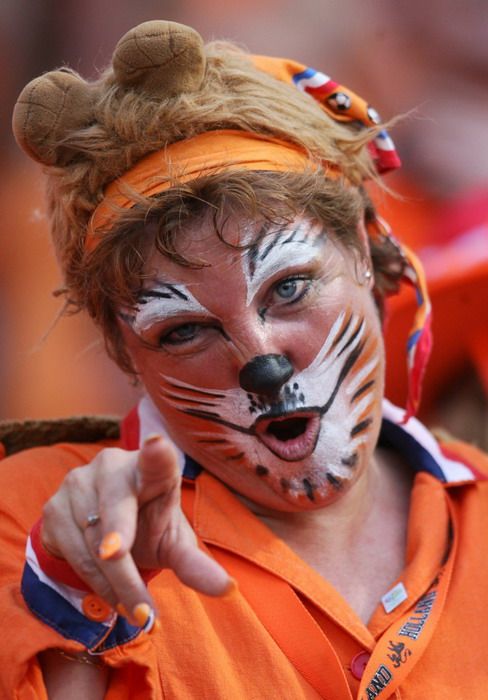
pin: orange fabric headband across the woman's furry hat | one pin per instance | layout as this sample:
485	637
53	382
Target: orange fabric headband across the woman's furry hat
207	153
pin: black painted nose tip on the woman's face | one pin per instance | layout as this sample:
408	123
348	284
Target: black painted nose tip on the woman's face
265	374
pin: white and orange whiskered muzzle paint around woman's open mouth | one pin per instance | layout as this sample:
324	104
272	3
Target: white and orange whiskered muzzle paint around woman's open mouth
307	442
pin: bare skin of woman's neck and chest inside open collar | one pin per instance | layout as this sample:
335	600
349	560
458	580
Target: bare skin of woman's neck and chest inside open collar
369	523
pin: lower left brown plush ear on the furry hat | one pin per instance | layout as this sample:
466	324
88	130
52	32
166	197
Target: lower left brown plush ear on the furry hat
47	109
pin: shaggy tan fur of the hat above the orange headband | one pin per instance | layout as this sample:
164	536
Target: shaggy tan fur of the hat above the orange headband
128	124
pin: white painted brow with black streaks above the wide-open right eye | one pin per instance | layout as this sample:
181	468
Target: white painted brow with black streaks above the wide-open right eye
274	252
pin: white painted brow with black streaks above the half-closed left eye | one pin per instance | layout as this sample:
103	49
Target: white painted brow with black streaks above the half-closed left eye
163	301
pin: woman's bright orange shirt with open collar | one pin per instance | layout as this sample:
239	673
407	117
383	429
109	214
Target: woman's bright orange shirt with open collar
286	633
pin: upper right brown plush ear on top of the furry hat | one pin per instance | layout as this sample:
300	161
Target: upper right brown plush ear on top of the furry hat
160	58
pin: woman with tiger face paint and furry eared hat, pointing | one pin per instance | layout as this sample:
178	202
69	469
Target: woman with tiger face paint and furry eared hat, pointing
238	270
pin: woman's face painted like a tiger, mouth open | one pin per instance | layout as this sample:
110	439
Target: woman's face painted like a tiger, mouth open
267	363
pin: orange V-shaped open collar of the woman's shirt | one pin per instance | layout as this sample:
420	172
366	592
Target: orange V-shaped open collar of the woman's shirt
222	521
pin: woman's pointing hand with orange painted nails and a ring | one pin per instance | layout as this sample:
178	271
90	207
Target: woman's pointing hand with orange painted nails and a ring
137	495
